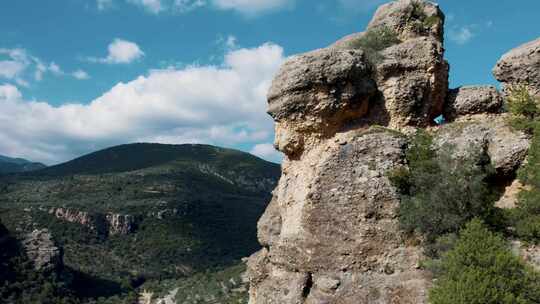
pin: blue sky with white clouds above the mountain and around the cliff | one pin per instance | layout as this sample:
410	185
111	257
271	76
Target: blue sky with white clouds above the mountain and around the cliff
80	75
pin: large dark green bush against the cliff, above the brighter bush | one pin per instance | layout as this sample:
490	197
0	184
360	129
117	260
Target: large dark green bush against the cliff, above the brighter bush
439	193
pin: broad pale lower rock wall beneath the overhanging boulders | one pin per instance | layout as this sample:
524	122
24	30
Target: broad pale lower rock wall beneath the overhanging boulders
339	240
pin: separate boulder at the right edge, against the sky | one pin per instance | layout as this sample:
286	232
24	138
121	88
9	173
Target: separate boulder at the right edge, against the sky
521	66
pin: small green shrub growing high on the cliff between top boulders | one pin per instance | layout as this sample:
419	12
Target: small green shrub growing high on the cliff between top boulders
374	41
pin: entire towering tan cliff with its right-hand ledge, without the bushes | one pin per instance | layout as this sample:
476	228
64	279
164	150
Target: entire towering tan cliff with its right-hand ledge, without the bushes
330	233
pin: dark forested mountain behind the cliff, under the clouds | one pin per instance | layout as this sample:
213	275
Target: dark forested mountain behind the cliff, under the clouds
132	215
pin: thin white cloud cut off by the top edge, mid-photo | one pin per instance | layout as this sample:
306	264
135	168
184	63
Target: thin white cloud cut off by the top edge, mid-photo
252	7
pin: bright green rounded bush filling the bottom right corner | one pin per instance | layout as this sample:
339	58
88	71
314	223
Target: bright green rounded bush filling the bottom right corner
481	269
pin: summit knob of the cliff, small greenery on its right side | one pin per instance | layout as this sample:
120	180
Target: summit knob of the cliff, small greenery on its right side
410	19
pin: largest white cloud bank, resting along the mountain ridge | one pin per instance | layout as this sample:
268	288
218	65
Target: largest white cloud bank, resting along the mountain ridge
223	105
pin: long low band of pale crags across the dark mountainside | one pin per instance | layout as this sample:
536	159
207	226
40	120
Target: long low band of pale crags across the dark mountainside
107	224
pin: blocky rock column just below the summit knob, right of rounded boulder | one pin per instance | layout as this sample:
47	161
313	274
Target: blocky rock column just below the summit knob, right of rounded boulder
413	80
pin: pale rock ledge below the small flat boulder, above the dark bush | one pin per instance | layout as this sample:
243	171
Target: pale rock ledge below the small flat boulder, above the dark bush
506	147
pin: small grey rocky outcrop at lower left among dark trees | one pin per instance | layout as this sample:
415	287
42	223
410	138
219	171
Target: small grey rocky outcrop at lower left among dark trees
41	249
